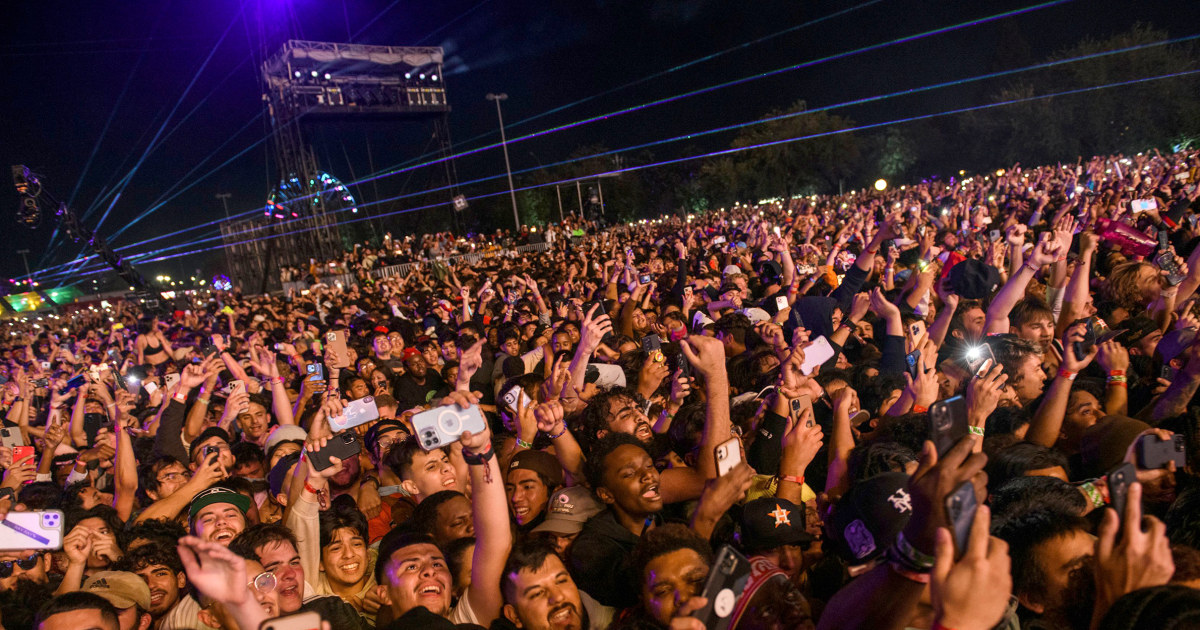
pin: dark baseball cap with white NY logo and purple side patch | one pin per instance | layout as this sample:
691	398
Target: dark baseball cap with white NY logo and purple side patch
866	523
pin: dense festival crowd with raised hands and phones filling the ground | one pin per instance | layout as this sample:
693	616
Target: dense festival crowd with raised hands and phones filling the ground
965	404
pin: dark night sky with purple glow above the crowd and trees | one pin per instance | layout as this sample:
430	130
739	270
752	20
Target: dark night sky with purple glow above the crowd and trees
134	67
